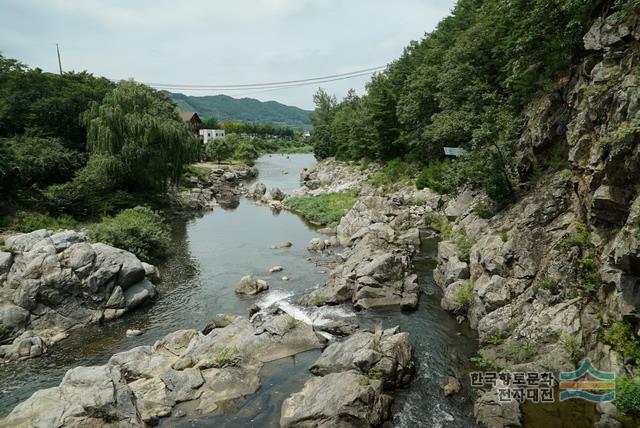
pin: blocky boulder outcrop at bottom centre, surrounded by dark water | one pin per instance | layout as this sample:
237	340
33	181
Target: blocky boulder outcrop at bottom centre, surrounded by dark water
355	377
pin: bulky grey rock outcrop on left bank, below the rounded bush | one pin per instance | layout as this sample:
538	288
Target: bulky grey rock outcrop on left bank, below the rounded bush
54	281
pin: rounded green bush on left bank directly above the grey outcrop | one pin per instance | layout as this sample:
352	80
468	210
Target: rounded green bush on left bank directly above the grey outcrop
139	230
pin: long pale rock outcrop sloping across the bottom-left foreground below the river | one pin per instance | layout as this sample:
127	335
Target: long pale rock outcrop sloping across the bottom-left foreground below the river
139	386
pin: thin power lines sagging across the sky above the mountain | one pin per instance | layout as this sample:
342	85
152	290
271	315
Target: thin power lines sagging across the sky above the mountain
272	85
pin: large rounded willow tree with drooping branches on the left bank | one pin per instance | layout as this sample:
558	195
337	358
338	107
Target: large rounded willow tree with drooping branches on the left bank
138	133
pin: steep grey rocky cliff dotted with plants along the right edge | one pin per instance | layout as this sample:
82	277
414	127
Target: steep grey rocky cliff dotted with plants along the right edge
544	278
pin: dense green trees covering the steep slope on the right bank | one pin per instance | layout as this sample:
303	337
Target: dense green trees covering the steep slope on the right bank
465	85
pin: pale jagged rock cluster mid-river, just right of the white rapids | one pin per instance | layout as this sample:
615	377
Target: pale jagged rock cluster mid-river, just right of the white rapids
380	236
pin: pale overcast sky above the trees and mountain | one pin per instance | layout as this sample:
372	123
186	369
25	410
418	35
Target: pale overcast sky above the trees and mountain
218	42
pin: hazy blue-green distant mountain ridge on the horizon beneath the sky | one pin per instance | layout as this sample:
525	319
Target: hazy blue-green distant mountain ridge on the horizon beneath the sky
224	107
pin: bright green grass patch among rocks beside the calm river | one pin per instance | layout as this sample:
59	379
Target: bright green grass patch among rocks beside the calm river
325	209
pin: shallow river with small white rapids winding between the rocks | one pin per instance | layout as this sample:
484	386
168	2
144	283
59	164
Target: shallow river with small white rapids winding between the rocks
210	254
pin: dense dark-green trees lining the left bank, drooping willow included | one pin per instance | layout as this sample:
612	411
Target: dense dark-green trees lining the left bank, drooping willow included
81	145
